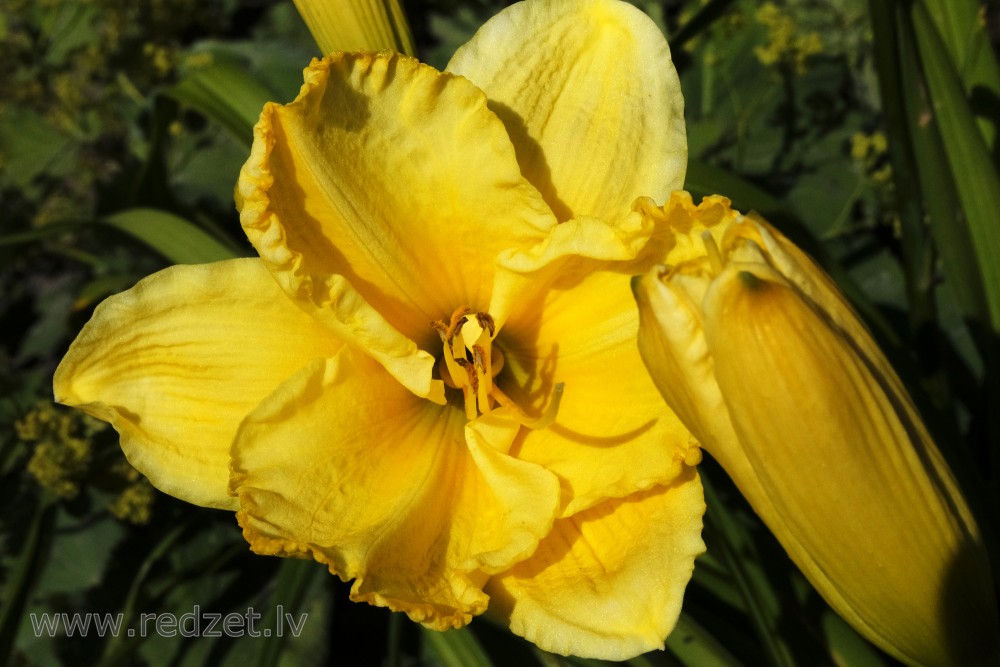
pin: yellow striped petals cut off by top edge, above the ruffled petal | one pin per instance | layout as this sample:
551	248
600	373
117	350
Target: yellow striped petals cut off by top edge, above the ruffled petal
357	25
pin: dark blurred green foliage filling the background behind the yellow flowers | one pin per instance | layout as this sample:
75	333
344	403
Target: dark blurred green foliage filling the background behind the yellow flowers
865	130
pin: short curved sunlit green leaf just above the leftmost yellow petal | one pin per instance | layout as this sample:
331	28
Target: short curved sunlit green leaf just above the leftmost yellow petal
175	238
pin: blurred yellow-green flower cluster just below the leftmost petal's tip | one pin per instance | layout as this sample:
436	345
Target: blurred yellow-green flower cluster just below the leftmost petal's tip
63	450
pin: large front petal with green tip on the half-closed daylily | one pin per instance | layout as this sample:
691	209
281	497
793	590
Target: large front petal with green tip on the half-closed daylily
840	453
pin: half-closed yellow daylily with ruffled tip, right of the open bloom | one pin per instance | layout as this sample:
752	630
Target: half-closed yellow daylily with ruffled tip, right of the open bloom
764	360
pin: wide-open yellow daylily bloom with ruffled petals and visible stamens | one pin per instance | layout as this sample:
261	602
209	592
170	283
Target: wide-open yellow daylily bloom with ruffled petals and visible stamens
428	380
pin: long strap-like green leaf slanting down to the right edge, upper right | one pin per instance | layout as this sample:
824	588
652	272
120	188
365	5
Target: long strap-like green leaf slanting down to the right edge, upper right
976	178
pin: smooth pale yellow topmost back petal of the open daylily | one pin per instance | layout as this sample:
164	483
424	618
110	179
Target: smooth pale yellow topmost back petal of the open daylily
590	98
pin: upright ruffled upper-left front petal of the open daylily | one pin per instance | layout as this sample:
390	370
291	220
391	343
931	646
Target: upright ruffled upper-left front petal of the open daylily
396	177
